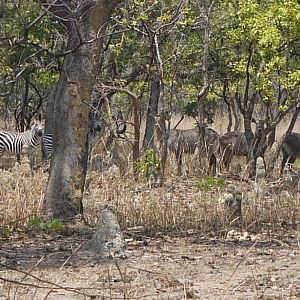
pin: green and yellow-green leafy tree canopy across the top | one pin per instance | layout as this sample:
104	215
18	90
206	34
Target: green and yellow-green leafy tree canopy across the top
255	39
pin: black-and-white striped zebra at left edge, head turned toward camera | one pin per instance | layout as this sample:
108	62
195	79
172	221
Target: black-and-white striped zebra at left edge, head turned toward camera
20	142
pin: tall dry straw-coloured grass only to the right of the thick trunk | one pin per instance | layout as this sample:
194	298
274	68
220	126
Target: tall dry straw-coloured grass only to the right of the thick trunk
180	207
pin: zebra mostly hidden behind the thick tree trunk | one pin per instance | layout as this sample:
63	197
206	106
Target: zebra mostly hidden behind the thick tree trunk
95	126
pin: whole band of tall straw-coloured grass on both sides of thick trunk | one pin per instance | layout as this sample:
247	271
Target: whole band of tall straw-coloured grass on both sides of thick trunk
177	206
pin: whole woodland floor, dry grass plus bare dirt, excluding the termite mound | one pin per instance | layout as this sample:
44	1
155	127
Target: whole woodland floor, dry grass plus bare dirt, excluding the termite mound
178	246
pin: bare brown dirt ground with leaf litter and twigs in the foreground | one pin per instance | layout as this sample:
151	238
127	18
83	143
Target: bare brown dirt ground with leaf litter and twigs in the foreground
191	266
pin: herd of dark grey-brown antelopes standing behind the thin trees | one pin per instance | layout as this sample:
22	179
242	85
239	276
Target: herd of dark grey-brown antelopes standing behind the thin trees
225	146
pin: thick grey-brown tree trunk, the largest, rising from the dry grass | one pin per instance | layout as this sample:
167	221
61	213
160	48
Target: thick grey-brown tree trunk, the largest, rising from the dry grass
64	191
